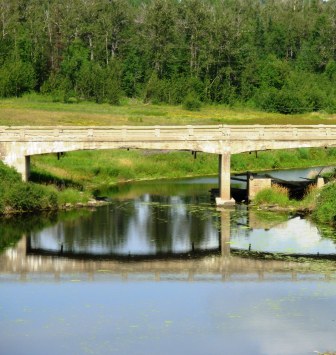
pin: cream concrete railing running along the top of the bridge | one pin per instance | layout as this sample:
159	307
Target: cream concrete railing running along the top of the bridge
167	133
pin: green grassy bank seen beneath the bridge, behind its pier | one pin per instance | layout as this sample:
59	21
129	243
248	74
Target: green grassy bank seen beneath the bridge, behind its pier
89	170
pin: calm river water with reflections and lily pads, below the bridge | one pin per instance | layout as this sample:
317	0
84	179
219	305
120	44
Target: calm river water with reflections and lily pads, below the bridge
157	272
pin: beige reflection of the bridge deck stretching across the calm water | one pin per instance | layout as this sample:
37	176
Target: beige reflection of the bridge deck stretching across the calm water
16	264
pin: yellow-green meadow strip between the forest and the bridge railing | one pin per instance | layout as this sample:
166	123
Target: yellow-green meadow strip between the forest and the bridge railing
33	109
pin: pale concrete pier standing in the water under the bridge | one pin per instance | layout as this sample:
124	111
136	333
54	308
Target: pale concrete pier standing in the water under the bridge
224	164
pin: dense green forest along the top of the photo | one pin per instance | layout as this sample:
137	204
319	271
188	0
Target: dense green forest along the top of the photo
274	55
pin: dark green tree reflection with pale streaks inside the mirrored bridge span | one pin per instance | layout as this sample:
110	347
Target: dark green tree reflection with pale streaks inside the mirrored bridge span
154	223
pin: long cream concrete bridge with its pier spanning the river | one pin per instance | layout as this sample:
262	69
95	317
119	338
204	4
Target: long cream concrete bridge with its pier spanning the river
17	144
